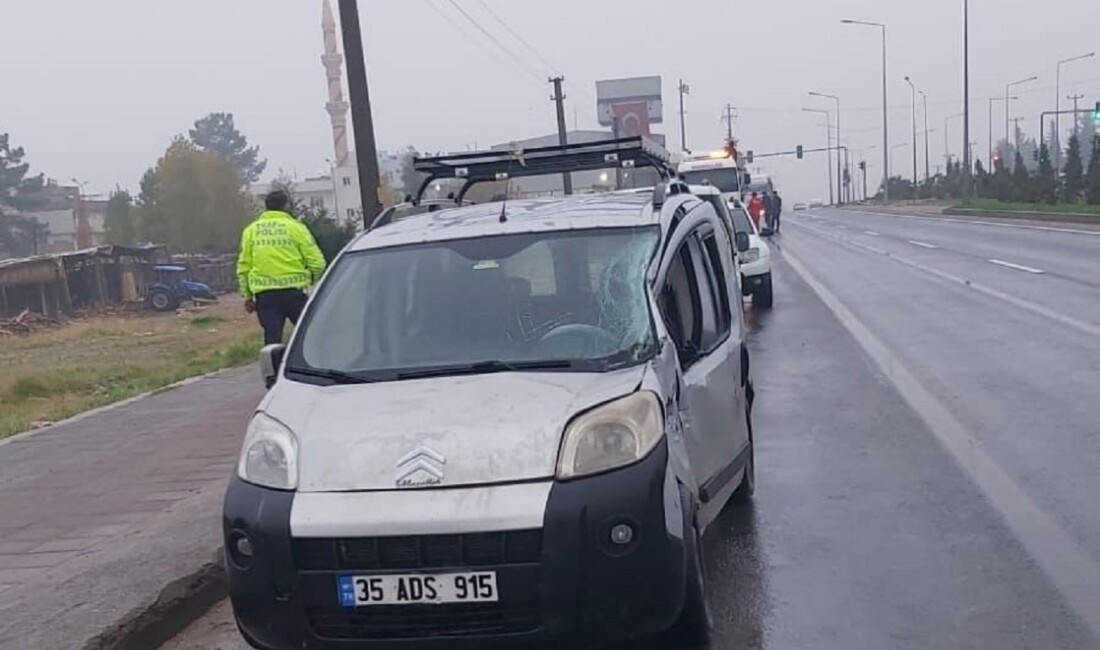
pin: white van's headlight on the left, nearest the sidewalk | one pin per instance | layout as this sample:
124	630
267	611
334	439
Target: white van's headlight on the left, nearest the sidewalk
270	455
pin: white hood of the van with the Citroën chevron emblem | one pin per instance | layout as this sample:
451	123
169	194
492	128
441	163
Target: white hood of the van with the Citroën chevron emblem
437	433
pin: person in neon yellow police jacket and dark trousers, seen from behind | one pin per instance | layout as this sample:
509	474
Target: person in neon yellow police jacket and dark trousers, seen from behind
279	260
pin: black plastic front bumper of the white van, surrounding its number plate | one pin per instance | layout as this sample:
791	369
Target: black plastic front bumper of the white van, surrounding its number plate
566	586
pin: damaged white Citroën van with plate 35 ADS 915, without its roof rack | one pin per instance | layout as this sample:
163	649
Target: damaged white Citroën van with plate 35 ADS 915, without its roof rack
500	424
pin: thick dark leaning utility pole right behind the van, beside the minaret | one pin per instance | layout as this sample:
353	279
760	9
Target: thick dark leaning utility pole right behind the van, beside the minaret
367	151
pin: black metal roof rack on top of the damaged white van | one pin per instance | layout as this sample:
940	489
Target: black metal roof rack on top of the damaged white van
489	167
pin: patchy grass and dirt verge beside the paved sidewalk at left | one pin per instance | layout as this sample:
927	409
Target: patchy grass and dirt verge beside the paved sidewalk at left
54	373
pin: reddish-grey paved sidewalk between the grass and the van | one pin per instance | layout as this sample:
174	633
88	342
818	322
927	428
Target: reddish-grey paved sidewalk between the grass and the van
101	515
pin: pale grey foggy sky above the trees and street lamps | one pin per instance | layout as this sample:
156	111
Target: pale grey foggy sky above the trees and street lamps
96	91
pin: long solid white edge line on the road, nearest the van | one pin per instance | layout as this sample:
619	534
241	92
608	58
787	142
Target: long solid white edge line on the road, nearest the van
1072	570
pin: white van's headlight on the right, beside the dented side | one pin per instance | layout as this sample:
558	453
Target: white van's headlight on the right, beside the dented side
612	436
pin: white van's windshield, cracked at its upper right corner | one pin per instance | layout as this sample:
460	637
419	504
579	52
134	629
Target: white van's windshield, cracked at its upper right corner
549	301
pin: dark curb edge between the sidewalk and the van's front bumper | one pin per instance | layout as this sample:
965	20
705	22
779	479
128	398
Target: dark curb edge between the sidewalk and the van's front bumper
178	607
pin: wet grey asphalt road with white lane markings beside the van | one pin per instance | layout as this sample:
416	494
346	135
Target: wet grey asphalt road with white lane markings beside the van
929	437
